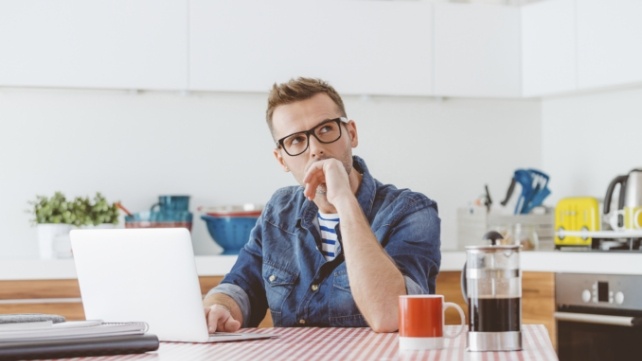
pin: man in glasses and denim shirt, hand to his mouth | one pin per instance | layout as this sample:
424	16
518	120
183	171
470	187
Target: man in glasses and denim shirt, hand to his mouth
337	250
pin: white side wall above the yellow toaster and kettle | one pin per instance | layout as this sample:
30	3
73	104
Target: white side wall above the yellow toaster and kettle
590	138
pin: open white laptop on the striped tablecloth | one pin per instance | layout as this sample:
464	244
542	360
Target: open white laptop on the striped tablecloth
144	274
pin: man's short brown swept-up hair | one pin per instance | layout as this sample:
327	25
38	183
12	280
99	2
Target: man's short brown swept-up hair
300	89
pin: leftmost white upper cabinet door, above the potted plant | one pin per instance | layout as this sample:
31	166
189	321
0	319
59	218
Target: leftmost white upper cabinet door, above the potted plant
94	44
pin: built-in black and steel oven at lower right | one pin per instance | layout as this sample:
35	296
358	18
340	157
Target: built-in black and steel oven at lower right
598	317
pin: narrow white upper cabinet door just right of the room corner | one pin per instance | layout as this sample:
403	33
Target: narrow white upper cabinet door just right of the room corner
548	48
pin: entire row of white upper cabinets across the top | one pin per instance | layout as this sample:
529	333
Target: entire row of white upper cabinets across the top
407	48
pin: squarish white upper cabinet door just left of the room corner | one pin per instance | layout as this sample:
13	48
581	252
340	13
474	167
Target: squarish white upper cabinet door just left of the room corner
477	50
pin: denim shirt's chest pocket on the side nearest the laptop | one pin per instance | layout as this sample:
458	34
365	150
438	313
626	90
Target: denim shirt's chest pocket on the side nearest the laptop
279	284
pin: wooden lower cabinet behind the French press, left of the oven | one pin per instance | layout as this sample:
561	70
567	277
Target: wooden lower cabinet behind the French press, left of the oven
538	302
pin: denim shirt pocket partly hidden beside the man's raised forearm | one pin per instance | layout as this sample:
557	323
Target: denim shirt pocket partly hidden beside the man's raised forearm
343	309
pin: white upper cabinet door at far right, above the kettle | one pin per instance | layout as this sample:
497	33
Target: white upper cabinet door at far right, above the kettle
608	42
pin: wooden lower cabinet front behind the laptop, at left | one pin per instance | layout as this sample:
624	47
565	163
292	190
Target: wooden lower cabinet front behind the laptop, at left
62	297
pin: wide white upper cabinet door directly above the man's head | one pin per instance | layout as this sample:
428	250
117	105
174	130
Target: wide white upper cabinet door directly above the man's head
360	47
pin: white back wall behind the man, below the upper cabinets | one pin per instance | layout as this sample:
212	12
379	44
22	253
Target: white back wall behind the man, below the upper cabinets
215	147
